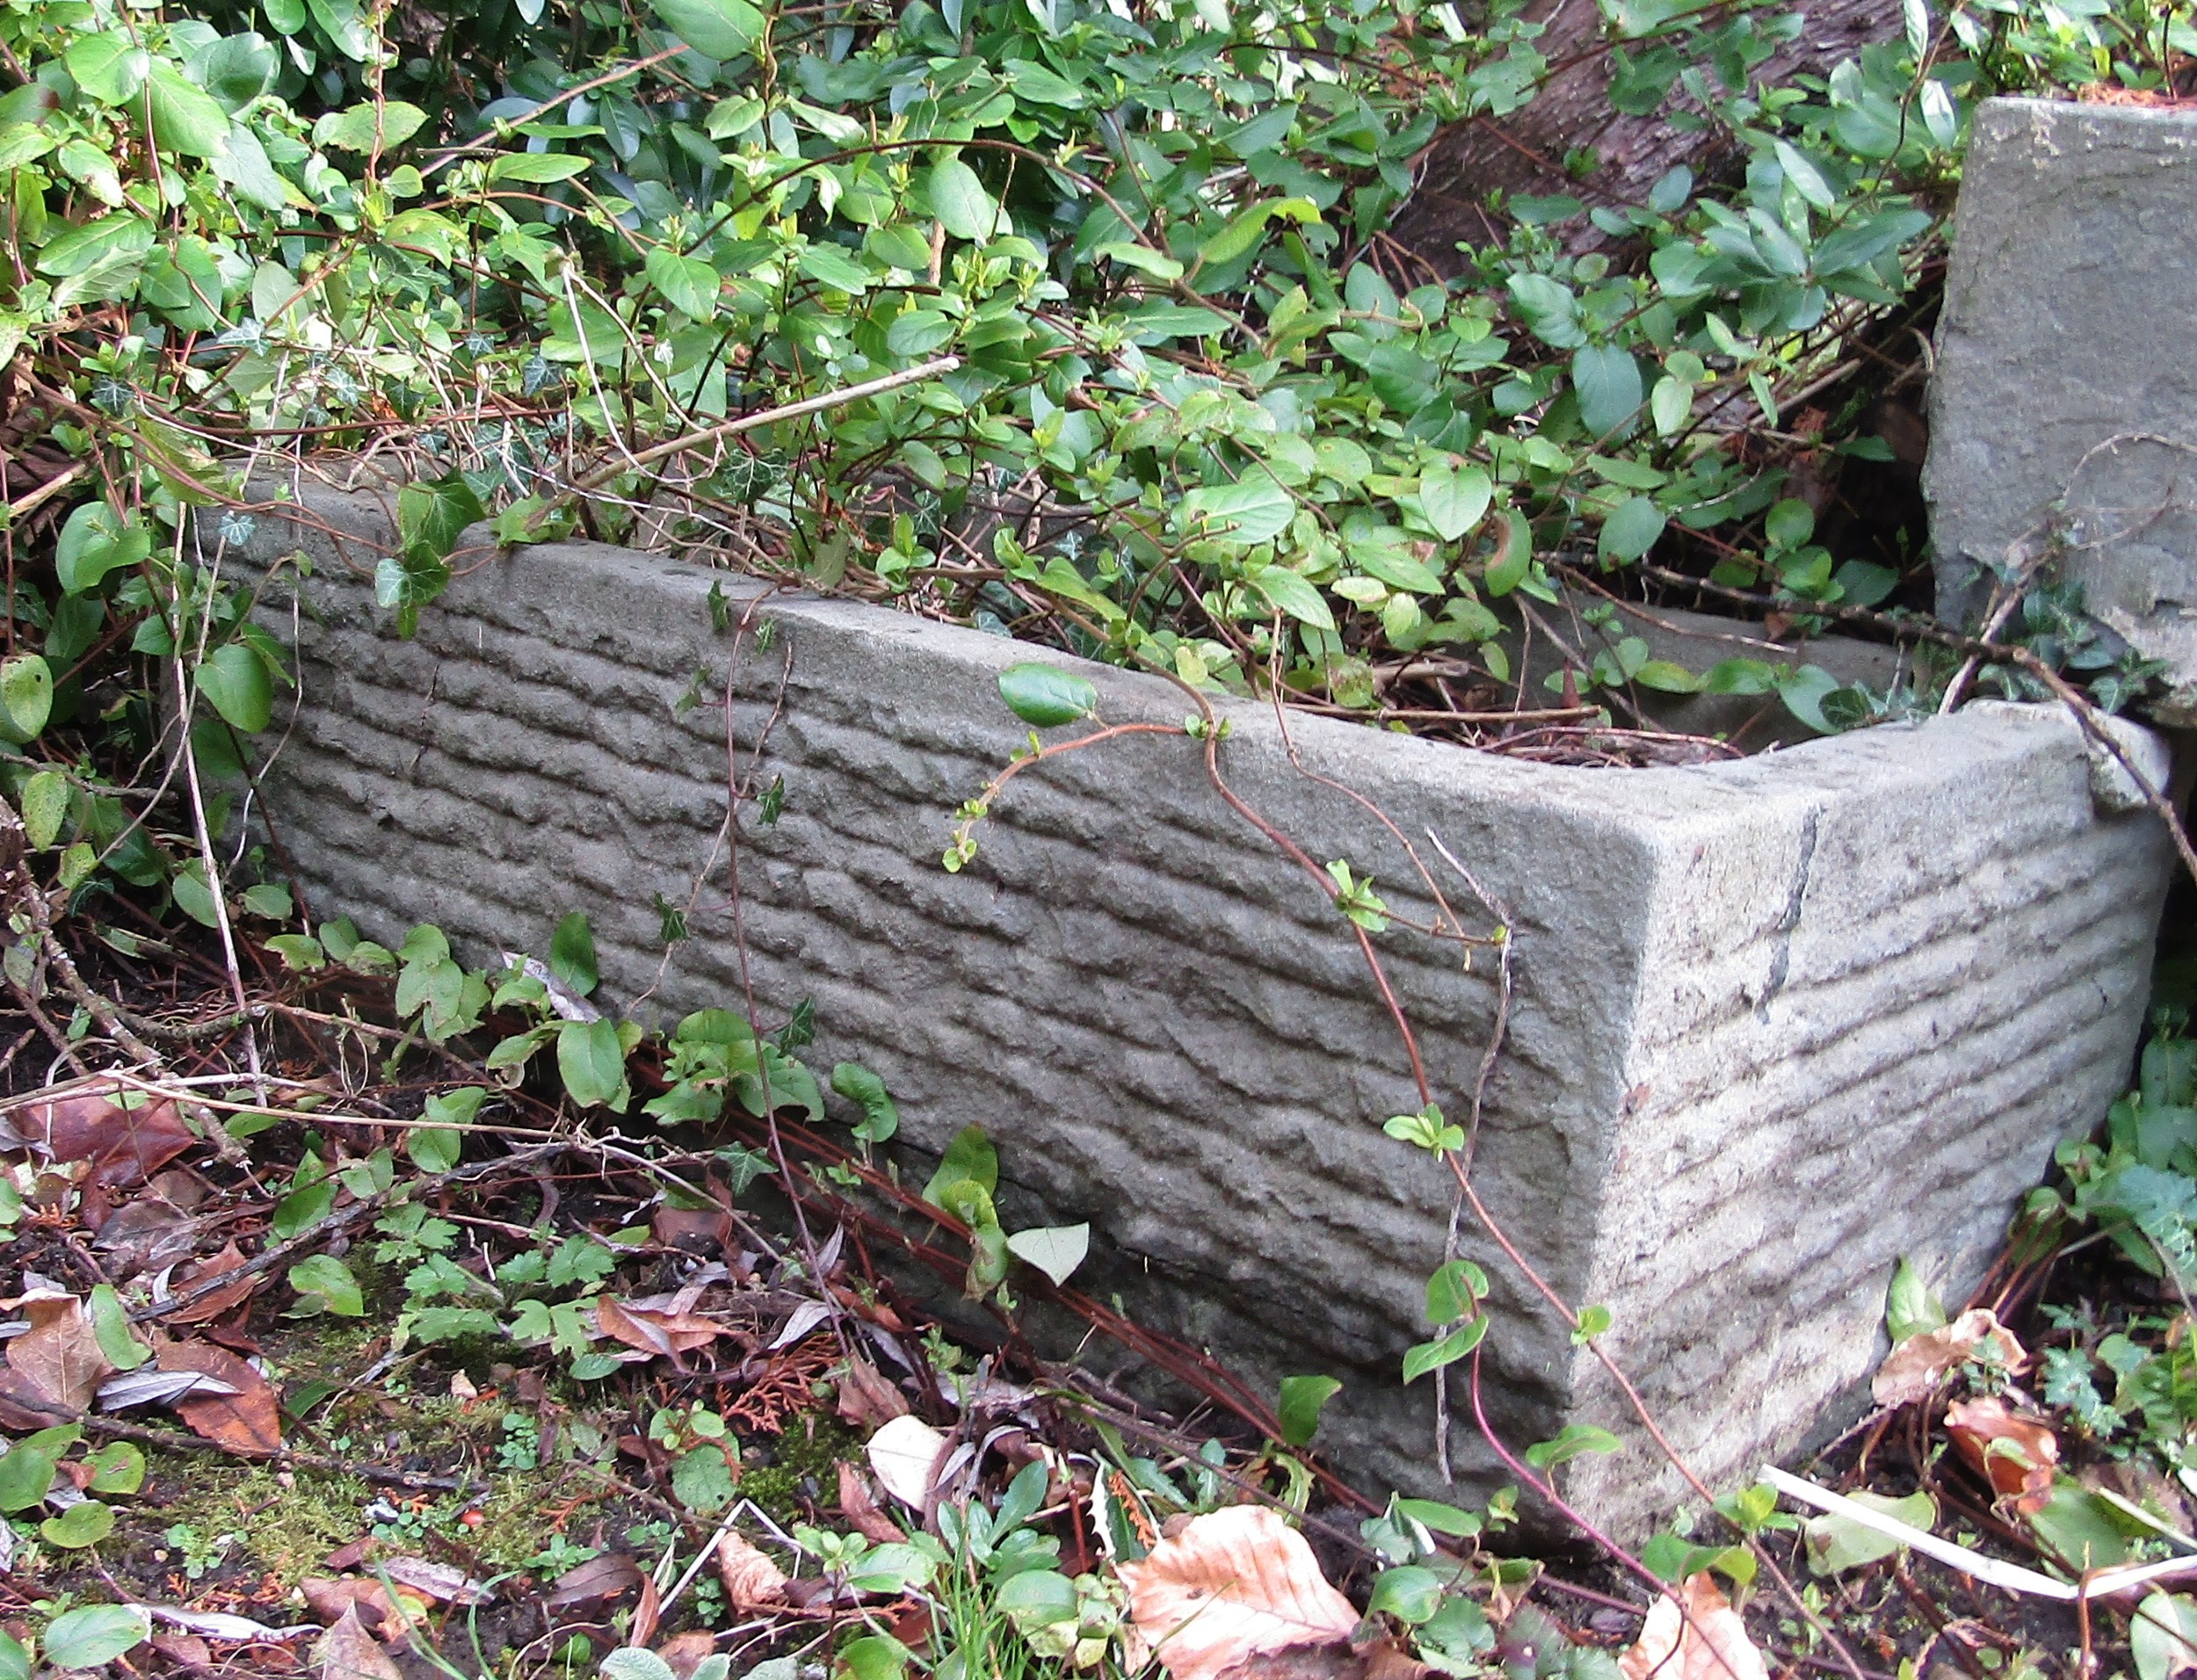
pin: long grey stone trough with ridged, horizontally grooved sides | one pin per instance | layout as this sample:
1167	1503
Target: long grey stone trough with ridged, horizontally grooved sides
1778	1022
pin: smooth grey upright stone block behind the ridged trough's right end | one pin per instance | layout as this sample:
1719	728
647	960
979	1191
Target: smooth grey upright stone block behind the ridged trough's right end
2064	410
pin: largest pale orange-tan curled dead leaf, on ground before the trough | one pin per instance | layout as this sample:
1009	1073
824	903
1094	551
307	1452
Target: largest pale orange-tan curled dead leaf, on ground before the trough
1231	1587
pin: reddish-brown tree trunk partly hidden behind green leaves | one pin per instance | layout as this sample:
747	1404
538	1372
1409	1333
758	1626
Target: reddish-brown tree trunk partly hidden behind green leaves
1526	150
